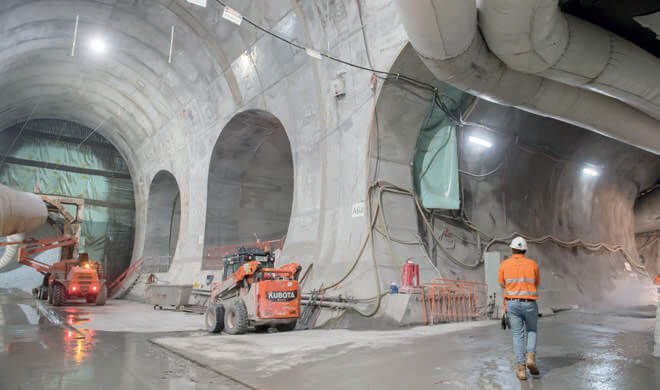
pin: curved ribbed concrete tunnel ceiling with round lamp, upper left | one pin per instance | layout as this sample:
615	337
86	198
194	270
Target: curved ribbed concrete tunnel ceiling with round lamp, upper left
130	91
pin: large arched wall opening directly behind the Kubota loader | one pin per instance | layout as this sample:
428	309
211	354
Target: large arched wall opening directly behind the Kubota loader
250	186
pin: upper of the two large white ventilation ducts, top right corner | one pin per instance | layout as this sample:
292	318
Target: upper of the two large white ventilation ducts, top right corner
534	36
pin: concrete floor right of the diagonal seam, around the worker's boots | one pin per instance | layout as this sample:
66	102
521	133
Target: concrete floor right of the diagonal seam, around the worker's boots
577	350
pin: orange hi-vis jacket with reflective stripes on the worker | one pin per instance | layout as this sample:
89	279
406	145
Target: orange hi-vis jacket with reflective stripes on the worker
520	278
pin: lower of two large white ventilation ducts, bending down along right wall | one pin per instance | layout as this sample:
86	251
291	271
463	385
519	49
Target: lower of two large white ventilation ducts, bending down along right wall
445	35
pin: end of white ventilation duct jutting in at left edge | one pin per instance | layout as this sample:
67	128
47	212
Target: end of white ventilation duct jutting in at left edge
20	212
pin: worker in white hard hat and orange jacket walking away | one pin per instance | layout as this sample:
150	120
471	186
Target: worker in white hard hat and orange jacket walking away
519	277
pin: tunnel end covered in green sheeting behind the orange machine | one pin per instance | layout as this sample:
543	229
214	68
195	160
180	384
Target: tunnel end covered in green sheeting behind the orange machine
48	156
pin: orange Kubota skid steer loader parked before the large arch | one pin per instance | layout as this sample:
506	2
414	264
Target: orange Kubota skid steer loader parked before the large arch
254	295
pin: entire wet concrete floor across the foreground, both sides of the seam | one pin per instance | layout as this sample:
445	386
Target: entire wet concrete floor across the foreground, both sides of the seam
577	350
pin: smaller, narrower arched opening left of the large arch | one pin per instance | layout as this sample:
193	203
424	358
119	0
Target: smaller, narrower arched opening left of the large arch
163	221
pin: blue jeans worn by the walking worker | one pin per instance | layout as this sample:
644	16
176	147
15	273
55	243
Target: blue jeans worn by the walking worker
523	315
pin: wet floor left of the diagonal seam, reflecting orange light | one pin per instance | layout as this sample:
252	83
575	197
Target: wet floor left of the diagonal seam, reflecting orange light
36	354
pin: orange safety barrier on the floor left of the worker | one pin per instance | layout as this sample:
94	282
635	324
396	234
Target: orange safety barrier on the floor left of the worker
454	300
